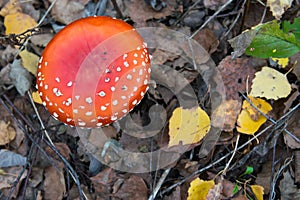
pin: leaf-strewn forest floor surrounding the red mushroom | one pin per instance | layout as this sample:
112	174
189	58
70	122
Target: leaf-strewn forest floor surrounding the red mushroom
250	146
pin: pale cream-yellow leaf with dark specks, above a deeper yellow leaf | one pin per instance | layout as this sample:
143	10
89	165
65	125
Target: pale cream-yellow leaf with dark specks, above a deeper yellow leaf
271	84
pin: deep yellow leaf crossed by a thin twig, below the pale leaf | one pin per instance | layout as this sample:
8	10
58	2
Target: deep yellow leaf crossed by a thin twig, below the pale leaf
246	123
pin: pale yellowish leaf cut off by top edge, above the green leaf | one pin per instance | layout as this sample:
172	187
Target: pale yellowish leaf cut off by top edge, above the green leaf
278	7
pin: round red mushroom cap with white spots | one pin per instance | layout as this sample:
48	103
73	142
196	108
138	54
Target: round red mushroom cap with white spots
93	72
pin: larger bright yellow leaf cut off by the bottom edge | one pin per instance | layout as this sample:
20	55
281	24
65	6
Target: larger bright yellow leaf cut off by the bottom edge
198	189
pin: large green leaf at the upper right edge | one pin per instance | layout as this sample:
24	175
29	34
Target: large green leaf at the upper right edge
272	41
